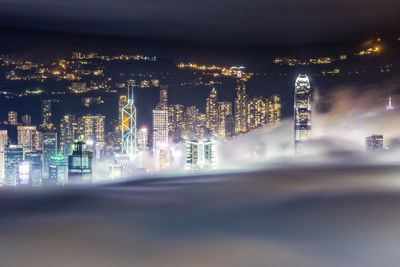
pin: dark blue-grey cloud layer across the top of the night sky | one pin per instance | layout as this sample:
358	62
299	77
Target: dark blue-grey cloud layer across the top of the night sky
256	21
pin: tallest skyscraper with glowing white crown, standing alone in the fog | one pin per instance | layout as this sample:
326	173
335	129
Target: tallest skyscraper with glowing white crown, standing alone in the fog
302	111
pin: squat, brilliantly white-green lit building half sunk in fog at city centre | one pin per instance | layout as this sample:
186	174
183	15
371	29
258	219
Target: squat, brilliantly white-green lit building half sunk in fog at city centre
201	155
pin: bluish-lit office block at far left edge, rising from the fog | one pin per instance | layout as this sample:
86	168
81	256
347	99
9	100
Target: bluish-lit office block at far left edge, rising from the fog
13	155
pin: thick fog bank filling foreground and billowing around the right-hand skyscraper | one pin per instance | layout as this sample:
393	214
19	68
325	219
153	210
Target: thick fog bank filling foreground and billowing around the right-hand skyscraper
334	205
